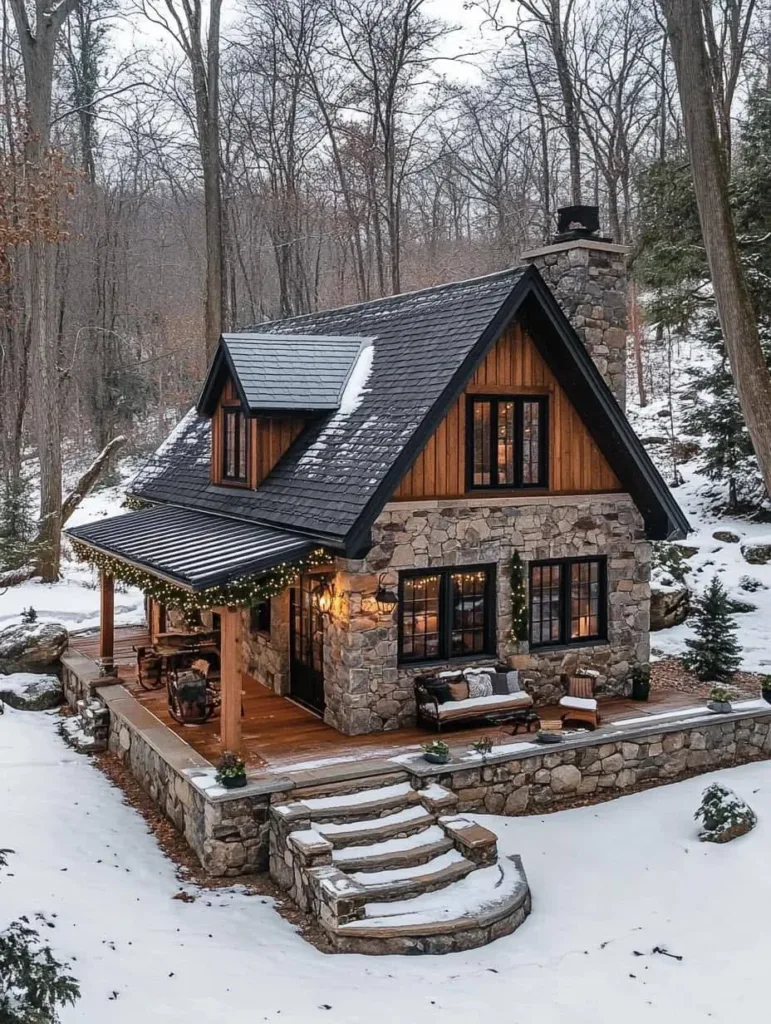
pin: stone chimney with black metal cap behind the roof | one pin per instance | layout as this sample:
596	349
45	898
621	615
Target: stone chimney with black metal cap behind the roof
588	277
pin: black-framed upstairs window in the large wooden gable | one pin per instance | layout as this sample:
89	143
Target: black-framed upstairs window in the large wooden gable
507	442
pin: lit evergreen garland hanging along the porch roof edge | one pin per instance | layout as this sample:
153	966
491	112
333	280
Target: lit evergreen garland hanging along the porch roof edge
246	592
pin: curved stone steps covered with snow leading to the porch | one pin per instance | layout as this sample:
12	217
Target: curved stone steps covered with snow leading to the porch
389	869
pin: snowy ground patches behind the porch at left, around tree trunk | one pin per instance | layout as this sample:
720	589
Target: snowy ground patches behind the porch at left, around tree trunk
74	602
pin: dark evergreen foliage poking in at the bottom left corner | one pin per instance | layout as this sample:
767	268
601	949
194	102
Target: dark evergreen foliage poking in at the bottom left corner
33	983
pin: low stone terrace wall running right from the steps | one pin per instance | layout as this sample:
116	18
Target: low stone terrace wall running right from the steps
585	771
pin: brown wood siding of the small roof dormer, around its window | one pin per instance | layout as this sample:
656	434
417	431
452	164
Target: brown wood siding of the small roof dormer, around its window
269	438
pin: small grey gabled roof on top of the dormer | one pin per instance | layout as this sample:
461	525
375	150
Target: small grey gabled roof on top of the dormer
283	372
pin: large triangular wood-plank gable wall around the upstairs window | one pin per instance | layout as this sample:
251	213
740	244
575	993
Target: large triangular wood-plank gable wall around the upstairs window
512	367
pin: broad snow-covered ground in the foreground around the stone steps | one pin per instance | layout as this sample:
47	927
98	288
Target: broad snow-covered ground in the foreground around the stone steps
610	883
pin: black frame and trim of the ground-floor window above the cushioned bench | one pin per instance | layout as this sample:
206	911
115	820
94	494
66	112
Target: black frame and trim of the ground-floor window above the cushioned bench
446	620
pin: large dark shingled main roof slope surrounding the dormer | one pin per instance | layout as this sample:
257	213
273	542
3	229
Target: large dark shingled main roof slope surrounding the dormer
326	481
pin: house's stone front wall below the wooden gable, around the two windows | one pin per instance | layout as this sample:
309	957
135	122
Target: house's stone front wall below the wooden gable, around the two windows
367	690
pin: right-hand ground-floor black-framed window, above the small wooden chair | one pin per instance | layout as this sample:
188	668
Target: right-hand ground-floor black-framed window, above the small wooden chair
569	602
